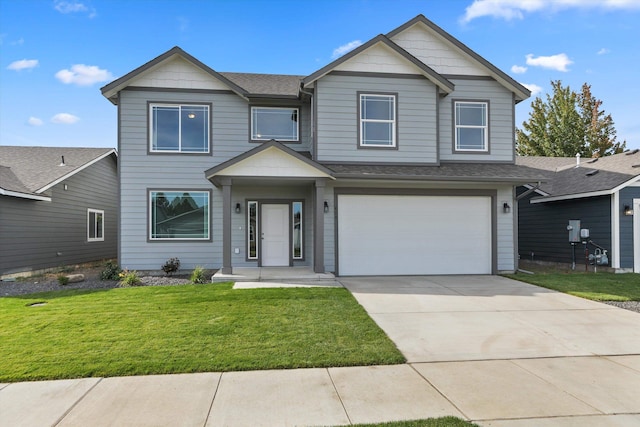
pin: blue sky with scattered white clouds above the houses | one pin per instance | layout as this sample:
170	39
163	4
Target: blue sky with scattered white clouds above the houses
56	54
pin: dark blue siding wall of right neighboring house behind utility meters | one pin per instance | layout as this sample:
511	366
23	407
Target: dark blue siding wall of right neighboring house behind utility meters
542	227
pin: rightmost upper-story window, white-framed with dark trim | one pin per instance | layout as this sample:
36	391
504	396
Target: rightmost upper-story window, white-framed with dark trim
471	127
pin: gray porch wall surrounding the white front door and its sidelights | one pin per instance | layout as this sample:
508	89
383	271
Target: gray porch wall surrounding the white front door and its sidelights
268	194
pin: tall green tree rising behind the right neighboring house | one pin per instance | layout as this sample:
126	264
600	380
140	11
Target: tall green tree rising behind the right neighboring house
566	124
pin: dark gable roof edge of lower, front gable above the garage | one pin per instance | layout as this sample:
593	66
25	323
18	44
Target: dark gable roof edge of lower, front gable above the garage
425	70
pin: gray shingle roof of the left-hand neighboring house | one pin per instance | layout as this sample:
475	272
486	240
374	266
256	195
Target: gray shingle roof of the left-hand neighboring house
29	171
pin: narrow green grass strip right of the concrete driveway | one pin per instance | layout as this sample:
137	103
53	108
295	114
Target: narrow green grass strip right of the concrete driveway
595	286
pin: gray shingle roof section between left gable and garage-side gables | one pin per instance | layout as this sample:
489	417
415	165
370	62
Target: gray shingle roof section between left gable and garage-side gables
266	84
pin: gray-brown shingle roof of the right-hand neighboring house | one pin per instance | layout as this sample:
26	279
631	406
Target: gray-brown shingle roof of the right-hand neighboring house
592	177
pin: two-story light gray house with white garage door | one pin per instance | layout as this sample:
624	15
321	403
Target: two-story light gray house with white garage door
397	158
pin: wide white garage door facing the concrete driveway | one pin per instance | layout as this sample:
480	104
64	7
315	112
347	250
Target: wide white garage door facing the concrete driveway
412	235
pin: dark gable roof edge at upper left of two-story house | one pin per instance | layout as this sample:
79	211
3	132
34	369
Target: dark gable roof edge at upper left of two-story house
110	91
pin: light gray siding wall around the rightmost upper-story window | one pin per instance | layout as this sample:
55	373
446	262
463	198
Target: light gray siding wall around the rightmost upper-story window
501	133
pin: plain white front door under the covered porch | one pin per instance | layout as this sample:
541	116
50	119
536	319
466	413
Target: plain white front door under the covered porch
275	235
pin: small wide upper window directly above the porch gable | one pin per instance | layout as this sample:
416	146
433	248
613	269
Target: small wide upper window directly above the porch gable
276	123
